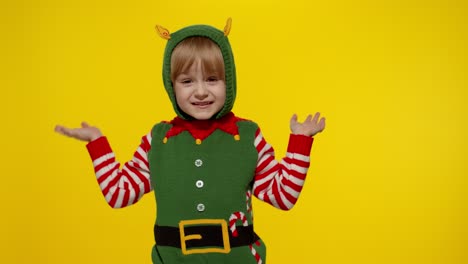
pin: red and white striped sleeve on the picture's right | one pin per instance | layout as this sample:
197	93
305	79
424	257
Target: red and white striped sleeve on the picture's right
280	183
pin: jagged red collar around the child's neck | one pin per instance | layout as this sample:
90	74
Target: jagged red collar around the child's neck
201	129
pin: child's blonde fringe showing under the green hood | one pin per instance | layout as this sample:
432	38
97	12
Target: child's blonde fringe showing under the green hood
190	50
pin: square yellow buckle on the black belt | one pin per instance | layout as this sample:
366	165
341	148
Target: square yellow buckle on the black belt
183	238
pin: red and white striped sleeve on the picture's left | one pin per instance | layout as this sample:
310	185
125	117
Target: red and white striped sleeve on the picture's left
121	187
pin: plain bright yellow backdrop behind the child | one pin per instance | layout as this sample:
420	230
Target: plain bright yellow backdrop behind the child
387	182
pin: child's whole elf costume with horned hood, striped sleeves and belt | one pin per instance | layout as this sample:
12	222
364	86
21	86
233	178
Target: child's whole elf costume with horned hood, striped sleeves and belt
203	173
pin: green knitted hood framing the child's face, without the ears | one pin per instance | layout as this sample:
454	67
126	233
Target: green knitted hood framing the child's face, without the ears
222	41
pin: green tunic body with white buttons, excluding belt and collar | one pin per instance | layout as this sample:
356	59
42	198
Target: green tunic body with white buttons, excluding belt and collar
205	181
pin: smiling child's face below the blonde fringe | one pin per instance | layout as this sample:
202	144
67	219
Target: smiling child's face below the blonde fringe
199	94
